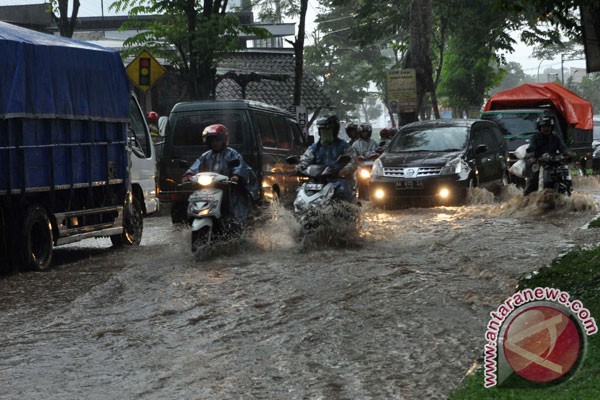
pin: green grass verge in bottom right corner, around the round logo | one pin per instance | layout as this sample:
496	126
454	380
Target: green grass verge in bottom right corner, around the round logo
577	273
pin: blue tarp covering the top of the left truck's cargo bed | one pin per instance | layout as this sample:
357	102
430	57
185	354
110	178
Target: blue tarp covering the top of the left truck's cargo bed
47	76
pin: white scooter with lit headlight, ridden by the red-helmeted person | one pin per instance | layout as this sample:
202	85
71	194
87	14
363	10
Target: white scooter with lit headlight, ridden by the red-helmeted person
210	210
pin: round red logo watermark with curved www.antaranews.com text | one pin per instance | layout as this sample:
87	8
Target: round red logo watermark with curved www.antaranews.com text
539	334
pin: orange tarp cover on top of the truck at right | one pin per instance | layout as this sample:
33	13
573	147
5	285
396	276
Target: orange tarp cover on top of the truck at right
577	111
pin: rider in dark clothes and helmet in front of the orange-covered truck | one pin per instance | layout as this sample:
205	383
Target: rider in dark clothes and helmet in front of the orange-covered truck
544	141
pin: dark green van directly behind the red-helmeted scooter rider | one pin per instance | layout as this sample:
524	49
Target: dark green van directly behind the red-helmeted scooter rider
264	135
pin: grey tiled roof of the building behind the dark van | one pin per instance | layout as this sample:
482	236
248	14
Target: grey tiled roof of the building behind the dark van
277	65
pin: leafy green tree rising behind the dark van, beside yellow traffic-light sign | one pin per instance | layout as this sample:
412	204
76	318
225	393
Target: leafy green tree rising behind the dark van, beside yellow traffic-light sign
192	35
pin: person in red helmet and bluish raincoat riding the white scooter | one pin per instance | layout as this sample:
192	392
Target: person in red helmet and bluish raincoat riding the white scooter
217	160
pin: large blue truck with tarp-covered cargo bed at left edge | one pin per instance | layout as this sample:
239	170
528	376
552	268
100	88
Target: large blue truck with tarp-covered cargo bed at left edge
64	152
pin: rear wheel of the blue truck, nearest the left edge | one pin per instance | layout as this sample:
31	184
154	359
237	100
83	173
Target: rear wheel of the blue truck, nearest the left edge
35	242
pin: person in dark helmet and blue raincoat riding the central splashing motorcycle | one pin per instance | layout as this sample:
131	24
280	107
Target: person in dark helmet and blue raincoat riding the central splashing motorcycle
326	152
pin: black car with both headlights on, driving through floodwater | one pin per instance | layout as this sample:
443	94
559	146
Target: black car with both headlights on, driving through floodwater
439	160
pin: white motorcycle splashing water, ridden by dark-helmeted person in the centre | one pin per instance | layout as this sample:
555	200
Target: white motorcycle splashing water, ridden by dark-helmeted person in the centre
316	207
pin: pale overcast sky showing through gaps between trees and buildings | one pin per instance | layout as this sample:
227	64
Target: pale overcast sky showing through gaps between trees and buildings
522	53
